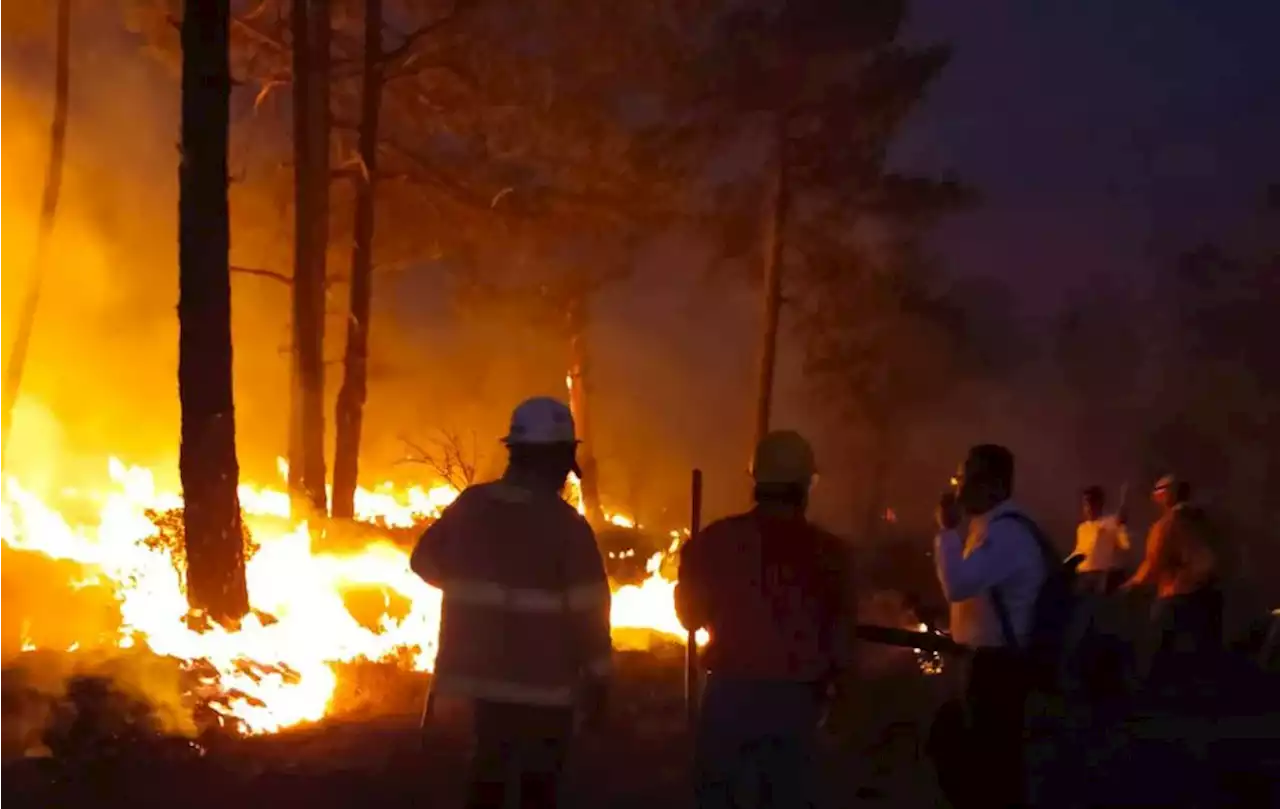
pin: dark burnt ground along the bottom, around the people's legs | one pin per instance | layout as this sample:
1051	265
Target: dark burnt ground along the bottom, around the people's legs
104	755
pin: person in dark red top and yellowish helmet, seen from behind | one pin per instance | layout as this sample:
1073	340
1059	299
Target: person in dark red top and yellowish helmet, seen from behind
772	592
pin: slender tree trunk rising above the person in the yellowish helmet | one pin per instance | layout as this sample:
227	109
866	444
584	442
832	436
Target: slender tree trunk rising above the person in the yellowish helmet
775	236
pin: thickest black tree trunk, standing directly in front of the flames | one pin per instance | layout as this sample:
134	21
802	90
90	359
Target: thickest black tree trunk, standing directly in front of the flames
211	473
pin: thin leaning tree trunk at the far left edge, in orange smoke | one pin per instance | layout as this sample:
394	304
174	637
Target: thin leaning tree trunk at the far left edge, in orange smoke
48	217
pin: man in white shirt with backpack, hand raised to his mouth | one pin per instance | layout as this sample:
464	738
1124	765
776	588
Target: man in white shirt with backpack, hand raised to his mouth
993	578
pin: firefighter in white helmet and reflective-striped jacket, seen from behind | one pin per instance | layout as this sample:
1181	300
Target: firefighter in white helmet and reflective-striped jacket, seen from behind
524	646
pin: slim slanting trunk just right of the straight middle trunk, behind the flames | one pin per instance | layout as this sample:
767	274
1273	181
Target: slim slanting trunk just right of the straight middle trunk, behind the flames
355	372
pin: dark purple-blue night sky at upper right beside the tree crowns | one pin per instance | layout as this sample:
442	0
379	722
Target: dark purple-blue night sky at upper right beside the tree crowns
1101	134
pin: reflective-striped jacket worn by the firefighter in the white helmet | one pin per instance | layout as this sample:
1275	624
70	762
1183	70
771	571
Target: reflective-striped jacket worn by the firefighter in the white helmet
525	610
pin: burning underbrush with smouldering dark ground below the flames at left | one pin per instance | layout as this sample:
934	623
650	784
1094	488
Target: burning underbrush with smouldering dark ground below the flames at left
93	613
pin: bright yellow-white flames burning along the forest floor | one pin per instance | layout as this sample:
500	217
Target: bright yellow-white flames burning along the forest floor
278	669
